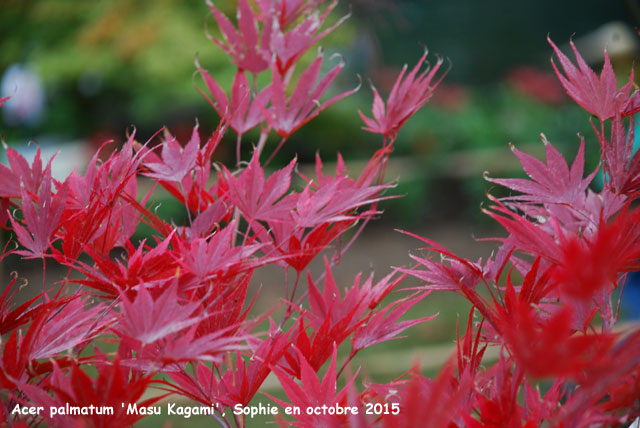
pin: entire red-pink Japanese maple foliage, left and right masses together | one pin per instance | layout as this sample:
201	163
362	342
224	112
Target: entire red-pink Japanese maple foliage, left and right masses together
178	304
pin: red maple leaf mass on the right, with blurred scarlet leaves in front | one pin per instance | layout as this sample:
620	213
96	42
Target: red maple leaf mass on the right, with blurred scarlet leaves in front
548	298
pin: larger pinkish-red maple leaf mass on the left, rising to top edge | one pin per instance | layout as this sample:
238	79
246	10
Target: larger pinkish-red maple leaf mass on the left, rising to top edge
176	306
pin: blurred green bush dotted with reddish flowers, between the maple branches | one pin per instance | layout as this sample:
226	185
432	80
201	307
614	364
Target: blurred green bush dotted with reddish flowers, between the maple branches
492	117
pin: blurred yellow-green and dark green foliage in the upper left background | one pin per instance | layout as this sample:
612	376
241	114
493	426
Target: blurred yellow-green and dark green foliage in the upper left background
109	64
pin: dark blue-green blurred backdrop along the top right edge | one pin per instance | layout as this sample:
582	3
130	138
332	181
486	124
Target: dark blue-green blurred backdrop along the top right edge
485	38
